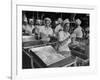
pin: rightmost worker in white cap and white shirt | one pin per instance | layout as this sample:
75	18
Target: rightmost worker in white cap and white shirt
78	31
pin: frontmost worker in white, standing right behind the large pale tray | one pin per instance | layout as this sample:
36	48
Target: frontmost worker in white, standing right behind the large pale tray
64	39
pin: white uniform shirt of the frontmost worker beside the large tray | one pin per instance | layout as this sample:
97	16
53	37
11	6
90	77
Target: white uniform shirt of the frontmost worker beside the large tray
63	36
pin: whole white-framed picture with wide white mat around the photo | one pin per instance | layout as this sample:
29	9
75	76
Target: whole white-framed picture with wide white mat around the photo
53	40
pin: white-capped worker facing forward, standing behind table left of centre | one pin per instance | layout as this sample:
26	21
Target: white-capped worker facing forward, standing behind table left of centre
46	31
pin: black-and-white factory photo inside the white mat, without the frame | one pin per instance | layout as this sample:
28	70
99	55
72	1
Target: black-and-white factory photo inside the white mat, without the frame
55	39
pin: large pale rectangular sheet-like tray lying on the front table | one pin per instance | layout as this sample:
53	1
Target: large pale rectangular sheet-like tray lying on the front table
47	54
